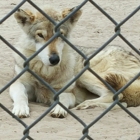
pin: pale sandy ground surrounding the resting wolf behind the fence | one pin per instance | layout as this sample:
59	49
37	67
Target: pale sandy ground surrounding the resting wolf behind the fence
88	128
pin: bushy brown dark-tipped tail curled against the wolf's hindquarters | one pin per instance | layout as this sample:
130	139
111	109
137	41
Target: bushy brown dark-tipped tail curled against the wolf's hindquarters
131	95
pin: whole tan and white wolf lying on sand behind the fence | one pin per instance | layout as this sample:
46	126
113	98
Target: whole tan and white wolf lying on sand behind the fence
58	63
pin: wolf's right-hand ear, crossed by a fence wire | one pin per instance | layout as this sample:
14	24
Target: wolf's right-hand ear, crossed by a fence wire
74	18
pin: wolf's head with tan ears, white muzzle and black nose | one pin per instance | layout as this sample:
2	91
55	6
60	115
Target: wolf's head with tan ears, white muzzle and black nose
39	29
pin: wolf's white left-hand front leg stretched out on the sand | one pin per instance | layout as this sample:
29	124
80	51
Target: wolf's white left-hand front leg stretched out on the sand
19	96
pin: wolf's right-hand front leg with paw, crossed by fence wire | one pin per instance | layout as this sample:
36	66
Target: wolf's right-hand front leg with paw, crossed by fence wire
68	100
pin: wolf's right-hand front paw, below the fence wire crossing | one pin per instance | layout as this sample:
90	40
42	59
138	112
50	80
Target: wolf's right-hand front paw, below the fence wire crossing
58	112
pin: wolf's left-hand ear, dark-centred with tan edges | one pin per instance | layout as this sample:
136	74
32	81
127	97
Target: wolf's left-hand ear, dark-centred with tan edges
24	18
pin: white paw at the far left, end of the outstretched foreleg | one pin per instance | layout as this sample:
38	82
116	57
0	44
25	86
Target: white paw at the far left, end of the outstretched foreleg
22	111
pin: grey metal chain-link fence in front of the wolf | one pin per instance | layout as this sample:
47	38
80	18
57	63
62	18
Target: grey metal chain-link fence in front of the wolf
86	64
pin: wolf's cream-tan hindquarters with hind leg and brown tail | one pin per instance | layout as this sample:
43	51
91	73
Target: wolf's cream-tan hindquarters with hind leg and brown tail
117	67
